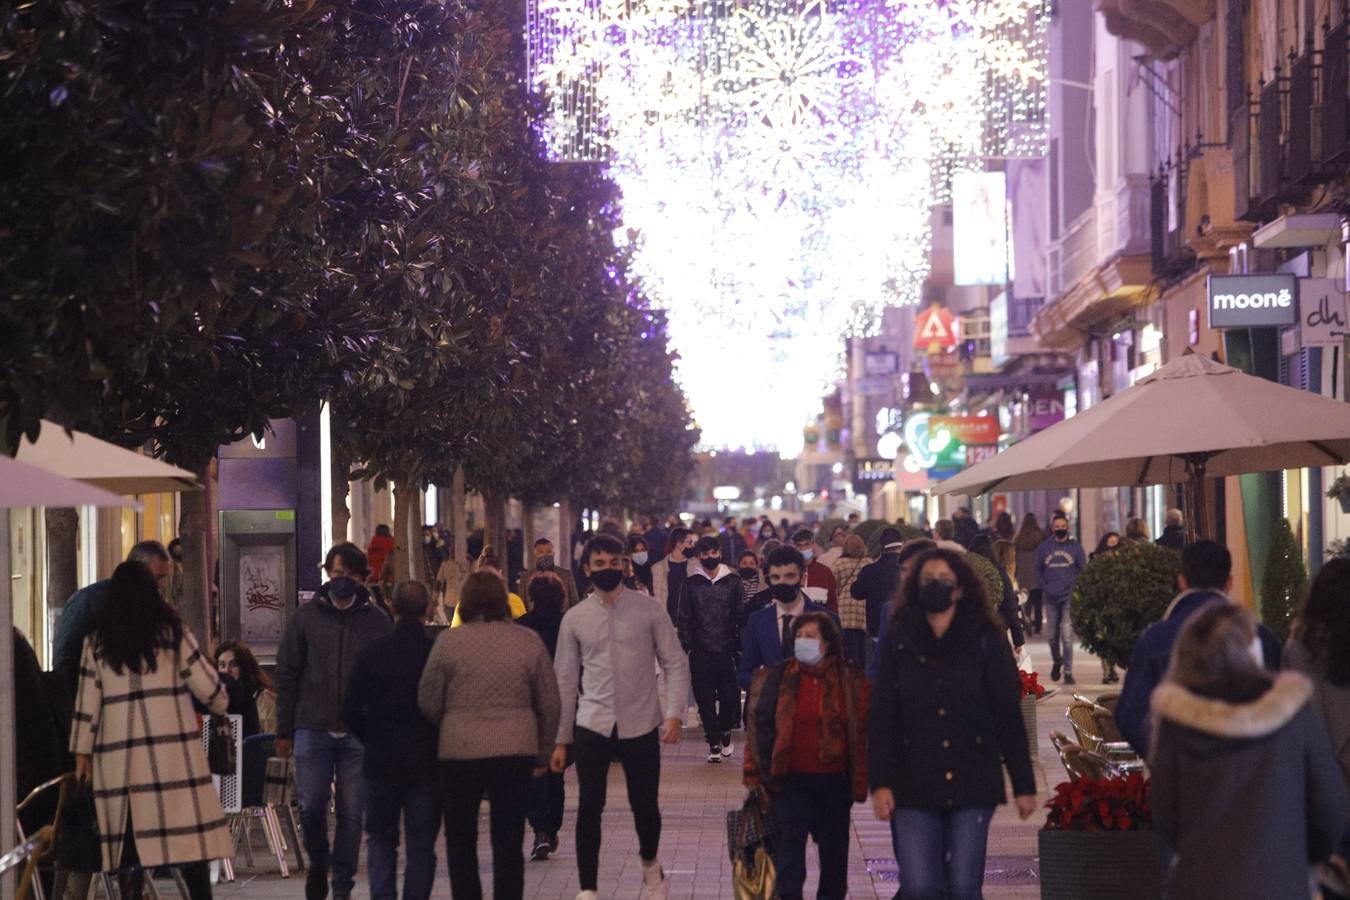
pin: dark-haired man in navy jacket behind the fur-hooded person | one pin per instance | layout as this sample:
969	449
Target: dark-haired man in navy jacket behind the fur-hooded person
1206	578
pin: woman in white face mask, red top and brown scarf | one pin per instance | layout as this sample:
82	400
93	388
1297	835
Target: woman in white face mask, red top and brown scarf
807	746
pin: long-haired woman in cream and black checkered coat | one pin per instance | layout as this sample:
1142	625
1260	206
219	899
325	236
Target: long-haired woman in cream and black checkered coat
136	735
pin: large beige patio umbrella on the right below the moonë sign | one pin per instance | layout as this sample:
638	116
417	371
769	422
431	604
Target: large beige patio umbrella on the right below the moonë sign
1190	419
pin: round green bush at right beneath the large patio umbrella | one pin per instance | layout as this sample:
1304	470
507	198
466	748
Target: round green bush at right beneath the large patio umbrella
1121	594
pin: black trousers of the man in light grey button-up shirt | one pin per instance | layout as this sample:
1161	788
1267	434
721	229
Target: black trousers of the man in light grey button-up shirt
642	762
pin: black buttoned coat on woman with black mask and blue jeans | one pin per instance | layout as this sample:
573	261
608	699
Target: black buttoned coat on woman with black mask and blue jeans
947	716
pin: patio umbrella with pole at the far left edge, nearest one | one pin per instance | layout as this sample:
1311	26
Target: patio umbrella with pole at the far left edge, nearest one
21	486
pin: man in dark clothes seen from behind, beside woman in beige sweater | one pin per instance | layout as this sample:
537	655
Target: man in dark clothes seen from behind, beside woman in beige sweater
400	760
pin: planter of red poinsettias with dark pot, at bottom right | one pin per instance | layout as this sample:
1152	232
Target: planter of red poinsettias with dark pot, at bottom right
1100	843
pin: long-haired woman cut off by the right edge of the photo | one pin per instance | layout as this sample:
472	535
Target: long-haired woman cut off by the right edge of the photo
1321	650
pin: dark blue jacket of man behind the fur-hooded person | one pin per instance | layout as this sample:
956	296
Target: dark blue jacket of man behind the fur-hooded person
1152	656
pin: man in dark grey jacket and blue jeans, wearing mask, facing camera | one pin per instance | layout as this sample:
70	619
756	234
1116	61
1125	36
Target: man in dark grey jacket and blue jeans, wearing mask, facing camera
314	669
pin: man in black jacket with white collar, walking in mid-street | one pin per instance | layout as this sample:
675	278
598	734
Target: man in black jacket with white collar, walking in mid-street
709	625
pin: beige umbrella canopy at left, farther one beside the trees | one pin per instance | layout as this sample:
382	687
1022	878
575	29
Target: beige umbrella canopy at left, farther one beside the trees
97	462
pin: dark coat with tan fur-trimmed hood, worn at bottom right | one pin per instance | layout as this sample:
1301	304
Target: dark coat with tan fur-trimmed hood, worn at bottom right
1245	790
